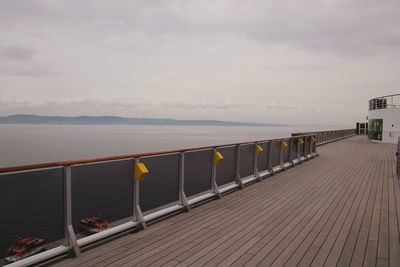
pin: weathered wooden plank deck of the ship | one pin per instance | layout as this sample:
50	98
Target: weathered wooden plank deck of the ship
339	209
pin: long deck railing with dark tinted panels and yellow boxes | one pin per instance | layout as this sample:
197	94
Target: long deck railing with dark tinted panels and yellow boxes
48	201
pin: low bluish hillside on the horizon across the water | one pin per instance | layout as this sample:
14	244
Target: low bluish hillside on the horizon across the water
112	120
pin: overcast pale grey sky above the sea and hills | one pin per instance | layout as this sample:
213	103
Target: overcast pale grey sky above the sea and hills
293	61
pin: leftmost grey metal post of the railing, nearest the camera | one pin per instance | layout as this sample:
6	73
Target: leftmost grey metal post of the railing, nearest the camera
69	230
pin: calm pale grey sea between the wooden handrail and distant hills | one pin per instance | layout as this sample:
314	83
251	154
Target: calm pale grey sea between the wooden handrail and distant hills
31	144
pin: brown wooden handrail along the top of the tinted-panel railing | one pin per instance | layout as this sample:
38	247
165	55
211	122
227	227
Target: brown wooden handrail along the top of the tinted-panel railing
139	155
